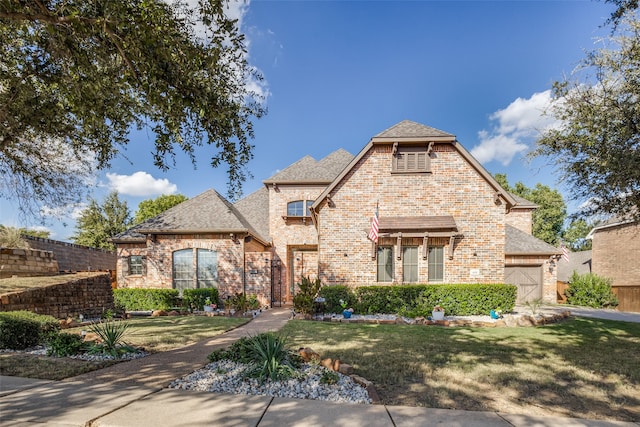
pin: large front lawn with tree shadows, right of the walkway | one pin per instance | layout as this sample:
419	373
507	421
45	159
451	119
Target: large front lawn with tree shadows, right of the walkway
580	368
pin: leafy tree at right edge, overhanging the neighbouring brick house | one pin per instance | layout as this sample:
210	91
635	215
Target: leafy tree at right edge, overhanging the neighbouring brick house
597	143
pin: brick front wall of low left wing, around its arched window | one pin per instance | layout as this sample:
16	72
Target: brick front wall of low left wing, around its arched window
158	255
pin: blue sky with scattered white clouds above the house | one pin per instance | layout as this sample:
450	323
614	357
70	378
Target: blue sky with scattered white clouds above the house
336	73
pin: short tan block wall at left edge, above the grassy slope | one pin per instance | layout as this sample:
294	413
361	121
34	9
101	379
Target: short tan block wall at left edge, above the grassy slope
27	262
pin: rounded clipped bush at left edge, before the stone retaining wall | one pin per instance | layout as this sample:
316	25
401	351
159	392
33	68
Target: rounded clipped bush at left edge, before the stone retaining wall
24	329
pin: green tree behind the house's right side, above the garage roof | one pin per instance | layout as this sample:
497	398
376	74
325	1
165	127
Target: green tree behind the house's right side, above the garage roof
549	218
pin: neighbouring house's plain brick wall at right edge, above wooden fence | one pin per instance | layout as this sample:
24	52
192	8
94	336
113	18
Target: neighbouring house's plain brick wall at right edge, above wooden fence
615	254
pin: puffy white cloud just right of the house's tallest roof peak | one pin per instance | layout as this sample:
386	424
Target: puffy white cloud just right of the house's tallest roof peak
514	128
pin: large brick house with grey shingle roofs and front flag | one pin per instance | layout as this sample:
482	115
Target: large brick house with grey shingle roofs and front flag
442	219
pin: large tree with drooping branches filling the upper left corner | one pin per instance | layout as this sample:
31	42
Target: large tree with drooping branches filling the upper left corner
78	75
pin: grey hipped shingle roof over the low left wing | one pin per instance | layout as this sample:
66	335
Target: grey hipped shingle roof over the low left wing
207	212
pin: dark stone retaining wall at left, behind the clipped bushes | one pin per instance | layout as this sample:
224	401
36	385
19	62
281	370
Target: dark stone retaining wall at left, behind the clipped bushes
89	296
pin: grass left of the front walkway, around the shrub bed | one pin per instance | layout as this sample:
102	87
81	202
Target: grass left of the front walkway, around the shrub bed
155	334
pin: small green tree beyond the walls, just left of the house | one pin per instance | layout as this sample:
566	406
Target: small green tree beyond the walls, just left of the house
99	223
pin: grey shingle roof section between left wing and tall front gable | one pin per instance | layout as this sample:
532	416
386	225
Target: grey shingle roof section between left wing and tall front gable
308	169
